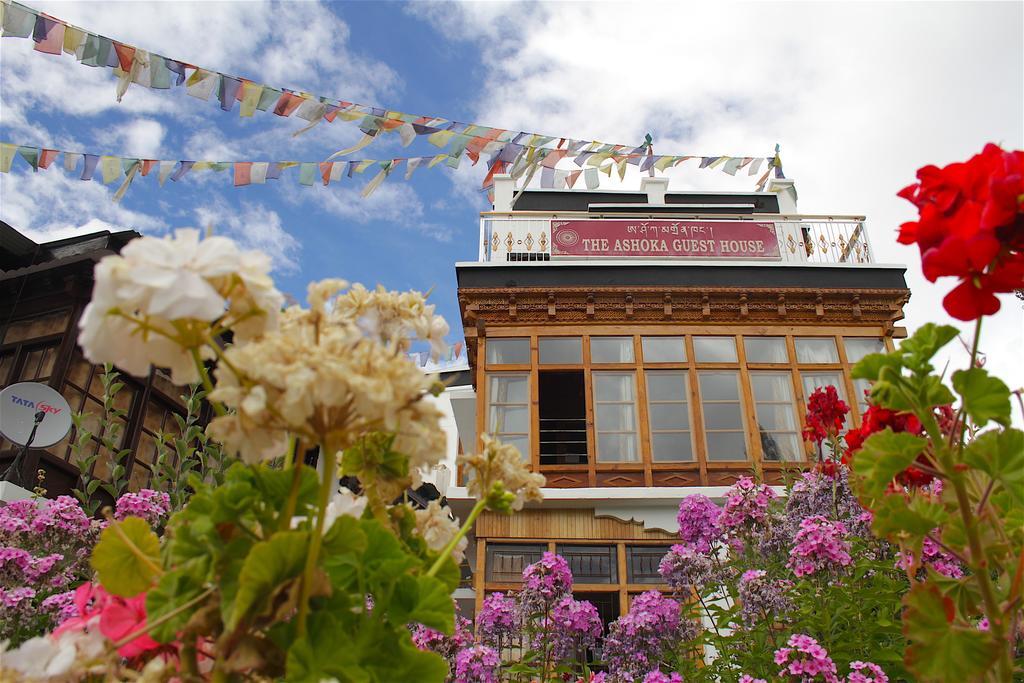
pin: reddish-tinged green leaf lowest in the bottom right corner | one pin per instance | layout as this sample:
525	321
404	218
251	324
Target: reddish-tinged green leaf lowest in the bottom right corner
940	650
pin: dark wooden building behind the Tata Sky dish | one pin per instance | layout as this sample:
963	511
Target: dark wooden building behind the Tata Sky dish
45	288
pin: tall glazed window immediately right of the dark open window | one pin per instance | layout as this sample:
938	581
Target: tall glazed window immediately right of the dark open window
615	417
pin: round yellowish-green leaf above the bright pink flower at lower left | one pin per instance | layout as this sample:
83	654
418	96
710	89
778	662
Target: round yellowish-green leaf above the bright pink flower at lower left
127	558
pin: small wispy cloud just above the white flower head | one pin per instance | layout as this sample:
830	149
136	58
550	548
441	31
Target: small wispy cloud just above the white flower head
255	227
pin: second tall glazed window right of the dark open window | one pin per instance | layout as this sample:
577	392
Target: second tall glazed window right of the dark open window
669	415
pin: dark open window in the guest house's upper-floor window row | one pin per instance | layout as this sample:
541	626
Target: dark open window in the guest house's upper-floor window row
564	418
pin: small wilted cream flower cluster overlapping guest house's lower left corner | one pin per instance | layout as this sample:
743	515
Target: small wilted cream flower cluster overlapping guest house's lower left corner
500	477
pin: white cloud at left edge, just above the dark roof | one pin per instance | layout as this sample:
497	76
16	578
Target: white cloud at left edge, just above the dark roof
52	205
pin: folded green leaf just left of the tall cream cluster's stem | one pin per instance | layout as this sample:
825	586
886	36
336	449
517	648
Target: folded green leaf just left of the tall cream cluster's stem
269	566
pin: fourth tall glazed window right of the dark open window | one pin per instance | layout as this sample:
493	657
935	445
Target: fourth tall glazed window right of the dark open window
778	425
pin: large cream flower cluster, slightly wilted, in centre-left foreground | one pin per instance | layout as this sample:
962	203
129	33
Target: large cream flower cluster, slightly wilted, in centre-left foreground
321	378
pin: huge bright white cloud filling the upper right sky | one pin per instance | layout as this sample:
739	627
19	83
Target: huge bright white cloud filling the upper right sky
859	95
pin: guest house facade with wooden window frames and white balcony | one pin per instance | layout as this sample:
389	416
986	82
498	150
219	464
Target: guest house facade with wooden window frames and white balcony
639	348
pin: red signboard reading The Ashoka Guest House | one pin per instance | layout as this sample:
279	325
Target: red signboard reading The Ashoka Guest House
689	239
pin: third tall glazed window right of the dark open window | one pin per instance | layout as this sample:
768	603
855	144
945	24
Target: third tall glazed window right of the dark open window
723	415
